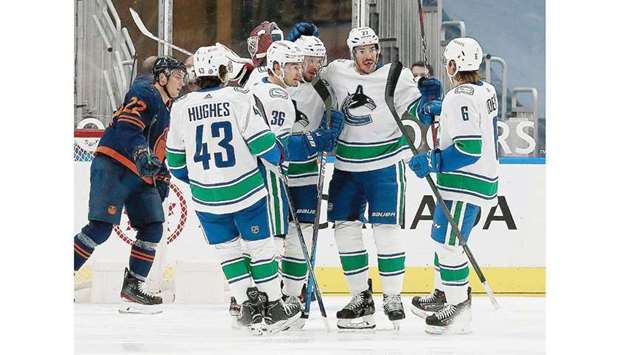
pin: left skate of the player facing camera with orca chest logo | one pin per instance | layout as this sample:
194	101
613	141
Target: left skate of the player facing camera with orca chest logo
358	313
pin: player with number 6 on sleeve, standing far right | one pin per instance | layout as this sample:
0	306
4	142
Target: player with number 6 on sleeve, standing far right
467	177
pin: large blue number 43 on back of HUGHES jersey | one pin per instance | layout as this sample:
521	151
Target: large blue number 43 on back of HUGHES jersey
218	129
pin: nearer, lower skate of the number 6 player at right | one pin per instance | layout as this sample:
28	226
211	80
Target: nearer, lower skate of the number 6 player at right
451	319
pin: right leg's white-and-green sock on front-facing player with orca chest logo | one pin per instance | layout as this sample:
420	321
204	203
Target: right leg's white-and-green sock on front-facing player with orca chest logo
390	257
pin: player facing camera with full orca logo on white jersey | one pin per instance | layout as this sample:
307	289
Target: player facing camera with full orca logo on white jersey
369	169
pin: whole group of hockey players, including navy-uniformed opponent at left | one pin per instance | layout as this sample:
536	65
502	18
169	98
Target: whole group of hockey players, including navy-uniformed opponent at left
248	124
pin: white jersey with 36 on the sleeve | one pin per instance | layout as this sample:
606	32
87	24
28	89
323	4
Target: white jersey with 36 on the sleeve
278	107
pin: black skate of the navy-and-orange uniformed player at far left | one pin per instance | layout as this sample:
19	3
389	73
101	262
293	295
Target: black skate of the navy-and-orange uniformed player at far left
136	299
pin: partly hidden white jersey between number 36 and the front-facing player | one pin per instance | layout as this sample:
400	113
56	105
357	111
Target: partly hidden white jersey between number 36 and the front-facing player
310	109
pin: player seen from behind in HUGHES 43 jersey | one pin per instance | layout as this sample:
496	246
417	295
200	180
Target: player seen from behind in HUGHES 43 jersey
219	128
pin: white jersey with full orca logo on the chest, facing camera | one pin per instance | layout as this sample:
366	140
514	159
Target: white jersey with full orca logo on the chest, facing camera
370	139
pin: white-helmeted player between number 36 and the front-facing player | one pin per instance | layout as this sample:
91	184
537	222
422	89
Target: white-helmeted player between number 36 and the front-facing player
310	137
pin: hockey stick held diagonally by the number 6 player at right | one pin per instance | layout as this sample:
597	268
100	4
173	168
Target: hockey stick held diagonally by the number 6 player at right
390	87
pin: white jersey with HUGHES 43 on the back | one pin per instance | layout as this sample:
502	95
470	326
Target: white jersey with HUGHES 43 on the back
216	134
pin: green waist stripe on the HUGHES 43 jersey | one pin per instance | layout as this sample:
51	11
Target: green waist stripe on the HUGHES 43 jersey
229	192
